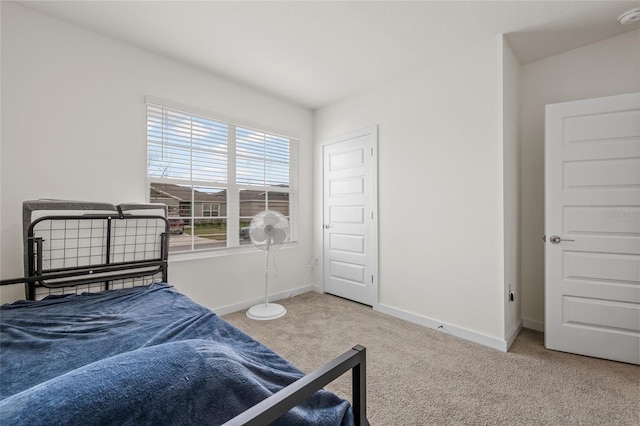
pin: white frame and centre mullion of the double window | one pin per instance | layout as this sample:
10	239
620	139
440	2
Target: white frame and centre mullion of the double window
231	186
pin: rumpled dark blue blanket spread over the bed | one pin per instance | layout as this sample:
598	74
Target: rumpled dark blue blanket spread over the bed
145	355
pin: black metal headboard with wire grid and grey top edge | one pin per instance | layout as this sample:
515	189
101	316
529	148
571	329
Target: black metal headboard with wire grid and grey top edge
77	250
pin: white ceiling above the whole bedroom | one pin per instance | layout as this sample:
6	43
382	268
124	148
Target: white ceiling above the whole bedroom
316	52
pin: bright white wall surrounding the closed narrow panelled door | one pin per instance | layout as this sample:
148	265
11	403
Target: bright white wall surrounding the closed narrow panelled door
441	228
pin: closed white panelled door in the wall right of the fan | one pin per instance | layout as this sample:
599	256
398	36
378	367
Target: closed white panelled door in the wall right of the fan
350	216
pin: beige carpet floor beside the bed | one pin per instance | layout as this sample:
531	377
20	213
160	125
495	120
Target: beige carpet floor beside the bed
420	376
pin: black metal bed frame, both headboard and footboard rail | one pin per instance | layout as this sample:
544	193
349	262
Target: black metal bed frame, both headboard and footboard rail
104	254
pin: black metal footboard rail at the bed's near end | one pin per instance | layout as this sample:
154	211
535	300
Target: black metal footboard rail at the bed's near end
281	402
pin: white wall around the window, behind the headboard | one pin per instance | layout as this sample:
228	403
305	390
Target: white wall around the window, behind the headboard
74	127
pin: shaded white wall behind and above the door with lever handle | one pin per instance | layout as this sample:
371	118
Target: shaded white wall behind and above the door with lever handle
606	68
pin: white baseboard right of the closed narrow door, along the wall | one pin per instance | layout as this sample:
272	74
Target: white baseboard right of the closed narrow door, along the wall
492	342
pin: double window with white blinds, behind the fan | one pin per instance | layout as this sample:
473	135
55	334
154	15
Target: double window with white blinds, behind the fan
214	176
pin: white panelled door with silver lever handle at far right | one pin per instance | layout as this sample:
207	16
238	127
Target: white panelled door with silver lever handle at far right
592	221
